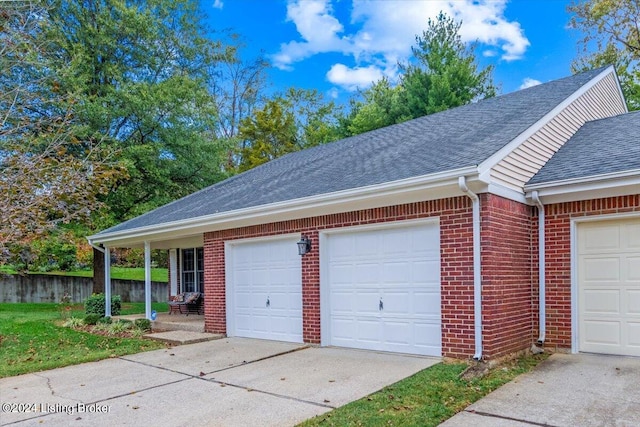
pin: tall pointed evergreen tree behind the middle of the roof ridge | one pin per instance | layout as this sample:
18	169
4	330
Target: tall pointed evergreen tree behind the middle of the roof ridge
442	74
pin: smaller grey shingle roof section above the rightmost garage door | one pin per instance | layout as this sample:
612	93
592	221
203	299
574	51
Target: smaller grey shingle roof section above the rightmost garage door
599	147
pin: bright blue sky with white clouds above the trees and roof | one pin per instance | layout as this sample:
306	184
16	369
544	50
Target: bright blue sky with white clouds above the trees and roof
338	46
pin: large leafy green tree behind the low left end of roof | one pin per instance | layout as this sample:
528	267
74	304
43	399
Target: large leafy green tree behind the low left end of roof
140	71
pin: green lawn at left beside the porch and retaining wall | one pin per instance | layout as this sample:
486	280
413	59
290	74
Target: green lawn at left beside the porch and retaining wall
32	338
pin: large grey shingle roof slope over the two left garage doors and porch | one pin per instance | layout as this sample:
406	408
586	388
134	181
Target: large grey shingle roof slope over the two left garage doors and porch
452	139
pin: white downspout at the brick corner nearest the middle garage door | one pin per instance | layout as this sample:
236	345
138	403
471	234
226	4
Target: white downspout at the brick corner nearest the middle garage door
477	277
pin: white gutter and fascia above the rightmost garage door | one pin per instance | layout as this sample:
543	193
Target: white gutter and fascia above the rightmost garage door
593	187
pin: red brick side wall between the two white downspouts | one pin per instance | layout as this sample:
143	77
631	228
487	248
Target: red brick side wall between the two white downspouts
507	288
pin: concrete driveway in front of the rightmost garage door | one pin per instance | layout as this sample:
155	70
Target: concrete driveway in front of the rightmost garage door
566	390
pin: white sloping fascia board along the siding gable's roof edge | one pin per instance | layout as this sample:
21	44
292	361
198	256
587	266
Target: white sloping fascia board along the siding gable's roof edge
485	167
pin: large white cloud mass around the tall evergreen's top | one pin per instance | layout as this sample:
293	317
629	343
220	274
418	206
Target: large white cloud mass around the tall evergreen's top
387	29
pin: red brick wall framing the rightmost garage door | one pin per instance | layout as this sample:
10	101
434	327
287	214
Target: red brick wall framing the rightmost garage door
558	259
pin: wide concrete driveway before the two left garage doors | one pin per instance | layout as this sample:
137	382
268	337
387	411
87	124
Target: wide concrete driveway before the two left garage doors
228	382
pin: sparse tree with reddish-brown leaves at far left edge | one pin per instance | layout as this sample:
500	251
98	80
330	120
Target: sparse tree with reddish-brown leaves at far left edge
49	174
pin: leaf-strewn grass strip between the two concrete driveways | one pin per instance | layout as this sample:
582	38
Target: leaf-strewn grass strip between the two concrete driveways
425	399
